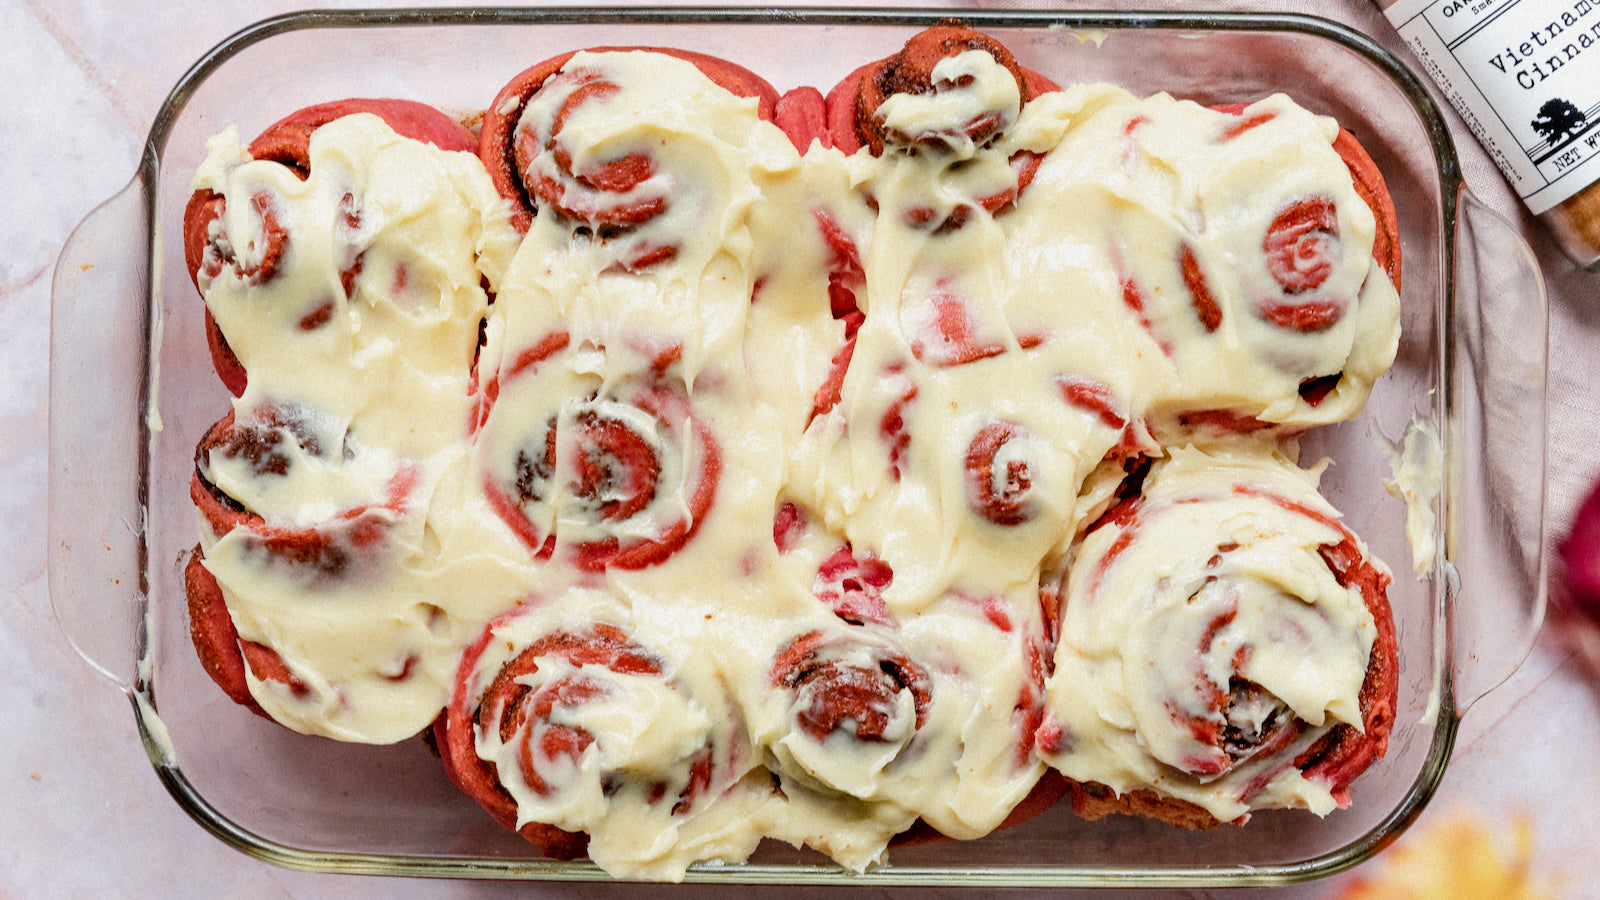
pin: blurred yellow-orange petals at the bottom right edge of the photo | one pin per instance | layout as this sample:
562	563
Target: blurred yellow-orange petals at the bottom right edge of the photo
1458	858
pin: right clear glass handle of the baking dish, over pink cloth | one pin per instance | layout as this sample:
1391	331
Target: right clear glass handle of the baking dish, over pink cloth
1498	433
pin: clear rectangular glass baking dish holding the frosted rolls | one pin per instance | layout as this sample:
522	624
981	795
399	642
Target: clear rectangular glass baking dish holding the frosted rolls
134	390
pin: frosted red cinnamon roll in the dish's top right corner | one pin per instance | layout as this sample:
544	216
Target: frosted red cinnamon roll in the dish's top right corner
1276	305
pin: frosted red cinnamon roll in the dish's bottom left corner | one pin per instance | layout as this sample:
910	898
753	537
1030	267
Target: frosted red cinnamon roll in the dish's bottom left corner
305	601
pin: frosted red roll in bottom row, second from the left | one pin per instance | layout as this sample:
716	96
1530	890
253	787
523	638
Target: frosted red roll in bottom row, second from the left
575	731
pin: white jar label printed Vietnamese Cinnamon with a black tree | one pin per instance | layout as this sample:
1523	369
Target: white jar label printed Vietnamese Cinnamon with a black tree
1526	76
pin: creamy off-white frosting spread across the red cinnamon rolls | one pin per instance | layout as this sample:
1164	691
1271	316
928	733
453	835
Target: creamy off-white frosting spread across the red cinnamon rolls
649	441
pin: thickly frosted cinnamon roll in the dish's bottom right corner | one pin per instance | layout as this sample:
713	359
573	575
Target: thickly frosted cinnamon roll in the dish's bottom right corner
1226	646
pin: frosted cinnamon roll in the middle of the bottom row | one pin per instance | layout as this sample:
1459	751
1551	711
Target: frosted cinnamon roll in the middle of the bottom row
906	721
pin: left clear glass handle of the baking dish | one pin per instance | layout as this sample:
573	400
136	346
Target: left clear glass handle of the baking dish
100	329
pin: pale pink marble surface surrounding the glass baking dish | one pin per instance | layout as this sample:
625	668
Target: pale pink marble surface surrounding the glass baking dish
82	811
